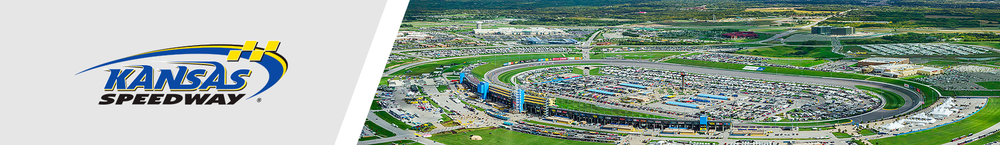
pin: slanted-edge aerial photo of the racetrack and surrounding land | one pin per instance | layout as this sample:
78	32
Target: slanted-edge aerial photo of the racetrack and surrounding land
873	72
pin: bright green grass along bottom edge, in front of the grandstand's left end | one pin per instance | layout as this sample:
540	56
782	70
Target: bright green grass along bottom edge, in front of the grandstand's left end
502	137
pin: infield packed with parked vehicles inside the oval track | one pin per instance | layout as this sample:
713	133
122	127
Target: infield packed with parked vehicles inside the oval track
646	90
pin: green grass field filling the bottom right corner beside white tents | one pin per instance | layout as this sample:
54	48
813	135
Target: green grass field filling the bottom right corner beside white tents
977	122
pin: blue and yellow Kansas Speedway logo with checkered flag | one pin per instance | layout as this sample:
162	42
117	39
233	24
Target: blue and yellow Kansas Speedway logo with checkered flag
190	75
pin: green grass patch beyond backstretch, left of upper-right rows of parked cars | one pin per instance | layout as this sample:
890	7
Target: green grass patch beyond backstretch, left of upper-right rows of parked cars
792	51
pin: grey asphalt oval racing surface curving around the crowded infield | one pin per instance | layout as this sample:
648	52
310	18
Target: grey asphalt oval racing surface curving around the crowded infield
912	99
